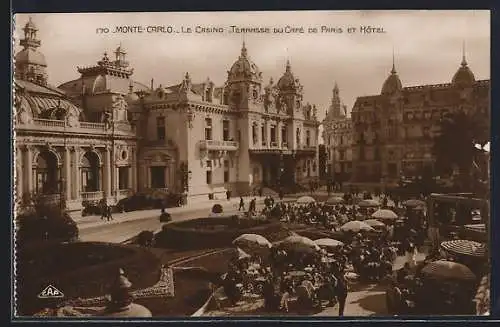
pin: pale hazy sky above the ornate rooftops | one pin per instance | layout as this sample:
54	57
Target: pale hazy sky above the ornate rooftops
427	47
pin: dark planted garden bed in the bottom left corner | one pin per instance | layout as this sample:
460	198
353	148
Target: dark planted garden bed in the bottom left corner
82	269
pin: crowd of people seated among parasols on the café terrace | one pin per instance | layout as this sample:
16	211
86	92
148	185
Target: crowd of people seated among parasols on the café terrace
317	276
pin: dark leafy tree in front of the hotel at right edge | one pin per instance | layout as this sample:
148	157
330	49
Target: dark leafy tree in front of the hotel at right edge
454	146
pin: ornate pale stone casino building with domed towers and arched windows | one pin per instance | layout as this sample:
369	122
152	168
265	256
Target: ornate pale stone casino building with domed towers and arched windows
104	135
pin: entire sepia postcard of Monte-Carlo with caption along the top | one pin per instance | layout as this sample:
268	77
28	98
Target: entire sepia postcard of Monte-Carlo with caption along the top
230	164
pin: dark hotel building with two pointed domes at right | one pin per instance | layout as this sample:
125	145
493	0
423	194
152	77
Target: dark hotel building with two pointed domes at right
393	131
